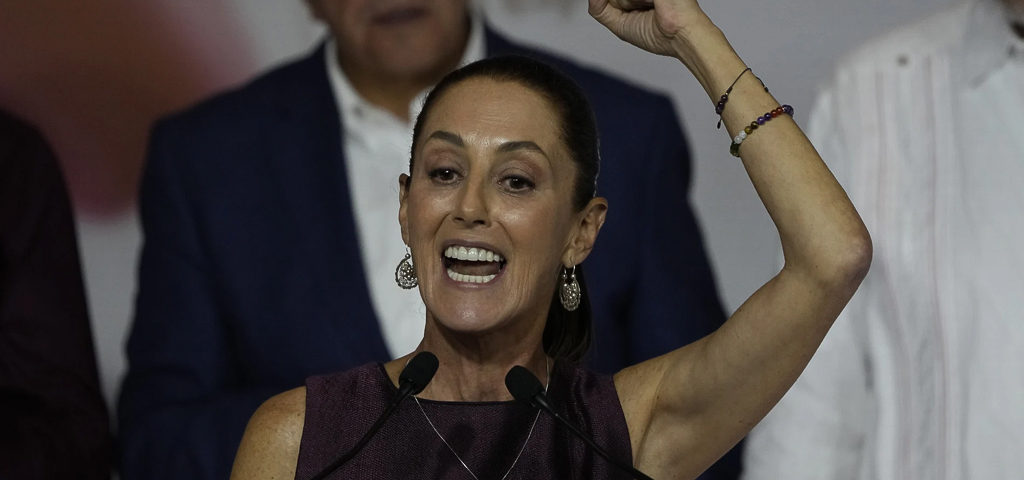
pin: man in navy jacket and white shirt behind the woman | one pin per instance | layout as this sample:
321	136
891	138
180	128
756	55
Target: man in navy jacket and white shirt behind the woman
272	238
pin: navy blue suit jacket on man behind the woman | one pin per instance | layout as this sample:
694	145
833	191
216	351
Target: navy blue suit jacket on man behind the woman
251	278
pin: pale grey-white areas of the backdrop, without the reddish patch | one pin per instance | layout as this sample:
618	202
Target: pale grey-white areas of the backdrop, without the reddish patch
791	45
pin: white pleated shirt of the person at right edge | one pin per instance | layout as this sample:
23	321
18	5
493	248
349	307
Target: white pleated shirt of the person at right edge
921	378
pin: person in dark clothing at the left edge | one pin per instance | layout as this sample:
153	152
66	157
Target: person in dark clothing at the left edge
54	422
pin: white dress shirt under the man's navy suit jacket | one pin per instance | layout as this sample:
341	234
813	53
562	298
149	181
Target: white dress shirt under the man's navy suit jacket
377	148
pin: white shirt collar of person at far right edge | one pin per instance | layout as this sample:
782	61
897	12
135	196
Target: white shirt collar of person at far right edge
990	42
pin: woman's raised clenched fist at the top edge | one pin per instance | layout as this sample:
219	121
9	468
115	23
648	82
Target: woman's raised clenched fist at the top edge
657	26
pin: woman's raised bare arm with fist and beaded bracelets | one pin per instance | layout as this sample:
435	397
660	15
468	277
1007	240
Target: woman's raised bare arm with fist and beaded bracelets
688	408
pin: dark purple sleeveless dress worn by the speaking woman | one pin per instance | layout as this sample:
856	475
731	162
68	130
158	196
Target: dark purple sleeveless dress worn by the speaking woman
489	437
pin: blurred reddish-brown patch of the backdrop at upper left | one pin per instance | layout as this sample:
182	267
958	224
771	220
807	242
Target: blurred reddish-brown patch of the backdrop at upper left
95	74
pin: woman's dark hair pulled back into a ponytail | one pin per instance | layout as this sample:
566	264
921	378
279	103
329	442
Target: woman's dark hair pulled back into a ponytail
567	335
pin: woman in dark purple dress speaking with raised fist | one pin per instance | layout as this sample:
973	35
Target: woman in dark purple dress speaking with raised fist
499	211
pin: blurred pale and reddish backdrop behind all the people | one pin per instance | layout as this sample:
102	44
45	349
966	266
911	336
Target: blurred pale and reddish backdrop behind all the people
95	74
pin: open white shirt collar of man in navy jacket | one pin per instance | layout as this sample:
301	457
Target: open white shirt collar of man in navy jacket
350	102
